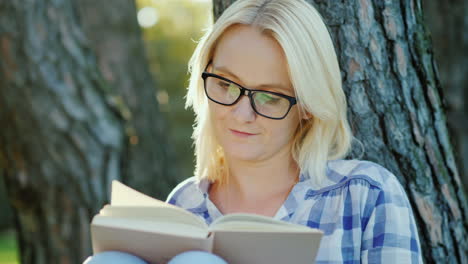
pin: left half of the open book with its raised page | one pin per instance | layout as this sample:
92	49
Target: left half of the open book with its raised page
146	227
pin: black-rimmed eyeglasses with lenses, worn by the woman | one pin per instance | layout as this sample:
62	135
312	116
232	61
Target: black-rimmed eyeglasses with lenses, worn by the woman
265	103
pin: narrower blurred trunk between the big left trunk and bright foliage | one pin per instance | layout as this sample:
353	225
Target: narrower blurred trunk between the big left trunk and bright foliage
116	39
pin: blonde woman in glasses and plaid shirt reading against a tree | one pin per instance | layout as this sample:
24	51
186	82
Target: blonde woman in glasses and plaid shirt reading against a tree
271	130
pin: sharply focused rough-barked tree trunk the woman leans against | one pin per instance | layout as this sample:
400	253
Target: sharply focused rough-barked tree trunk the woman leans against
396	110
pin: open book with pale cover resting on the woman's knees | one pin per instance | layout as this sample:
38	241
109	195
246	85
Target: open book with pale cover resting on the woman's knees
157	231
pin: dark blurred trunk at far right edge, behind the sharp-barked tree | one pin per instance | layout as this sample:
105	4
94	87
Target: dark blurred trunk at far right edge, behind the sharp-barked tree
447	21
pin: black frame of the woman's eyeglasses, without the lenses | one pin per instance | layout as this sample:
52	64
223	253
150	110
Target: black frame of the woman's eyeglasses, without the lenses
250	92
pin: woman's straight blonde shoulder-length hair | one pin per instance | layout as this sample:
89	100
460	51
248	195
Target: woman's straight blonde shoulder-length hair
315	76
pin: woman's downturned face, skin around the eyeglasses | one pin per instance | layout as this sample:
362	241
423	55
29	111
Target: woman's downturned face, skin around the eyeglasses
255	61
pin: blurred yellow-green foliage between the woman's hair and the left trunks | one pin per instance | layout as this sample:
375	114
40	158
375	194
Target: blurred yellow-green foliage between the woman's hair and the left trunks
169	45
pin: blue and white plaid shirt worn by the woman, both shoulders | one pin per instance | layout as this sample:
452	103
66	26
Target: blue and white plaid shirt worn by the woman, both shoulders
361	208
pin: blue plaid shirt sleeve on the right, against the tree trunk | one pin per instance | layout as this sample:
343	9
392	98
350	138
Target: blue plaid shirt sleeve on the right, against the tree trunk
390	235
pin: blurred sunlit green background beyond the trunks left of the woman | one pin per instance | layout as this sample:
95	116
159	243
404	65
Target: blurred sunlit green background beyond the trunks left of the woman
171	29
